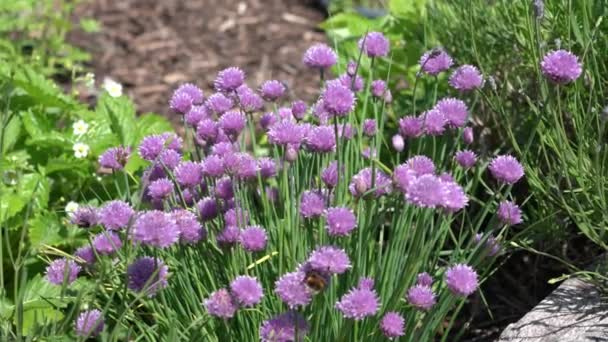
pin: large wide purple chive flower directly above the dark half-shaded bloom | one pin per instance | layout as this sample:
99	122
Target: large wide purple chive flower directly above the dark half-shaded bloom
155	228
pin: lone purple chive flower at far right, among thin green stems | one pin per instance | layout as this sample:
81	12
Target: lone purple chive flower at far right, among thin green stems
561	66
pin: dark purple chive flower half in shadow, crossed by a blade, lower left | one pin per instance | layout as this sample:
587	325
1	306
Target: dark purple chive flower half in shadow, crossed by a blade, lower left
147	274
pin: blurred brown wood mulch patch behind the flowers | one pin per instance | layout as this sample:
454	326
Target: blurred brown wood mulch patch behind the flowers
153	46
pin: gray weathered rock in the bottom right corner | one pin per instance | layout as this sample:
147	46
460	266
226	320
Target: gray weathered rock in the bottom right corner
575	311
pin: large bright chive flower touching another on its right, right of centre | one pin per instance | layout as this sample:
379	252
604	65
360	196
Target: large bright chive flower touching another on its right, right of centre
426	191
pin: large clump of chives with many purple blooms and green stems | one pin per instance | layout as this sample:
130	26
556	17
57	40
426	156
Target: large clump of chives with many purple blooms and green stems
274	220
